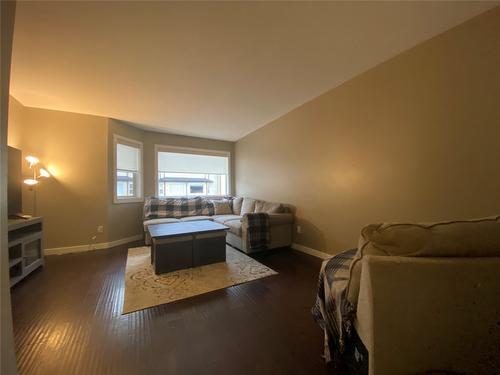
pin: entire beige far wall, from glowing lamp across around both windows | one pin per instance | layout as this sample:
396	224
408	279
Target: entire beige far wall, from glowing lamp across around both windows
78	150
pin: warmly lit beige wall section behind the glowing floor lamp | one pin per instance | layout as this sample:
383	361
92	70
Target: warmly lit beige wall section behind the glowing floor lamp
73	147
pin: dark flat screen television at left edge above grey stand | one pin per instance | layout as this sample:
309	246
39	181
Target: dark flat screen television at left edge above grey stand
15	181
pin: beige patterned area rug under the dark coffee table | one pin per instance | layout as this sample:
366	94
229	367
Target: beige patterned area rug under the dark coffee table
144	289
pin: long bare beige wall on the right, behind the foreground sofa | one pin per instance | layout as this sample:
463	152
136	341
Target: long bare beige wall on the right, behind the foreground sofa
416	138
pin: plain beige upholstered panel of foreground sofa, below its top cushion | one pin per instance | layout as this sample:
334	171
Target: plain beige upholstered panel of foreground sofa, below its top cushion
420	314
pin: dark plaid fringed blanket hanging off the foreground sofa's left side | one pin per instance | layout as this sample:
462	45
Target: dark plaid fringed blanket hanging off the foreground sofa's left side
332	311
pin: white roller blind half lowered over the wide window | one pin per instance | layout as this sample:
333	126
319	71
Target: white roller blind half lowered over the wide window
192	163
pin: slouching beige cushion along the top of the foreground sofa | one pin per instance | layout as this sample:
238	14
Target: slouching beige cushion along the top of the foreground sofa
459	238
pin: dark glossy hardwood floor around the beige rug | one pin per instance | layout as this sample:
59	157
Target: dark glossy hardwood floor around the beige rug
67	320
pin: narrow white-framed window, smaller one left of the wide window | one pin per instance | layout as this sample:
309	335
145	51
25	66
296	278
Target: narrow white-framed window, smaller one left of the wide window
128	170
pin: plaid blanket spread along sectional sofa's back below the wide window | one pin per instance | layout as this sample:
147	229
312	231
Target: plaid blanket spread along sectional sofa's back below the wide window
177	207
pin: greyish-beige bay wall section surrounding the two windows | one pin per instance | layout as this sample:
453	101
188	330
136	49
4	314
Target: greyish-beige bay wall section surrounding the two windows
125	219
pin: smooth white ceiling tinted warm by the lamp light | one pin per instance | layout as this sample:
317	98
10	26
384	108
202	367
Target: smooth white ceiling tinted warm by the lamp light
209	69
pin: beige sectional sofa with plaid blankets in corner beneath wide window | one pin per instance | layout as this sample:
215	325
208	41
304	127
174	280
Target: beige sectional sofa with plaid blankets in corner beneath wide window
253	224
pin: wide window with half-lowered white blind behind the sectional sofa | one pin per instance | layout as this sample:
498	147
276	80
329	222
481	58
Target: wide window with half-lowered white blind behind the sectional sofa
184	172
